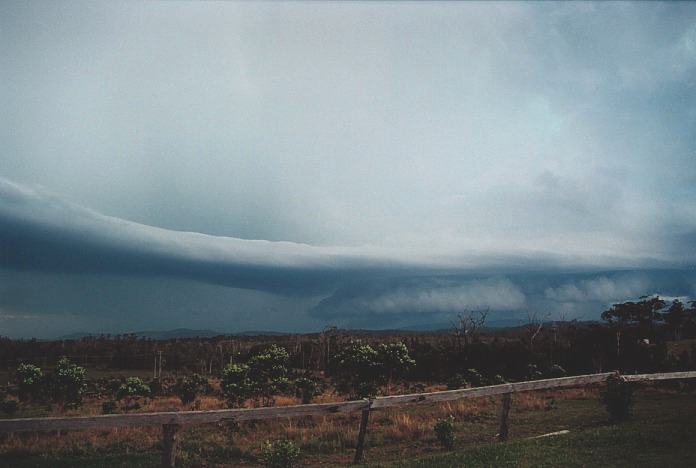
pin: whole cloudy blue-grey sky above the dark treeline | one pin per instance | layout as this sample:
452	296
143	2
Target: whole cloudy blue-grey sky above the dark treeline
287	166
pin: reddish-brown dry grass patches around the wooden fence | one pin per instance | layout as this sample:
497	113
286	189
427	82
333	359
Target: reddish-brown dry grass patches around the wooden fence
397	432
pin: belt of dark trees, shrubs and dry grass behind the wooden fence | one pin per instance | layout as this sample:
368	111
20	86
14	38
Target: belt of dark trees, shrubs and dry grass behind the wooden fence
334	365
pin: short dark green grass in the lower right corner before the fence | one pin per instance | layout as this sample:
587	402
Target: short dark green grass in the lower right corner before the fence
652	438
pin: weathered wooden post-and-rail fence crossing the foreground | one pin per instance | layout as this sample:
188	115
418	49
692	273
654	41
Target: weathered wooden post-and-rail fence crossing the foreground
172	421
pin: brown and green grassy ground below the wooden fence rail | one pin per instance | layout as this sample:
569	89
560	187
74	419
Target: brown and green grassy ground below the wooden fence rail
662	433
